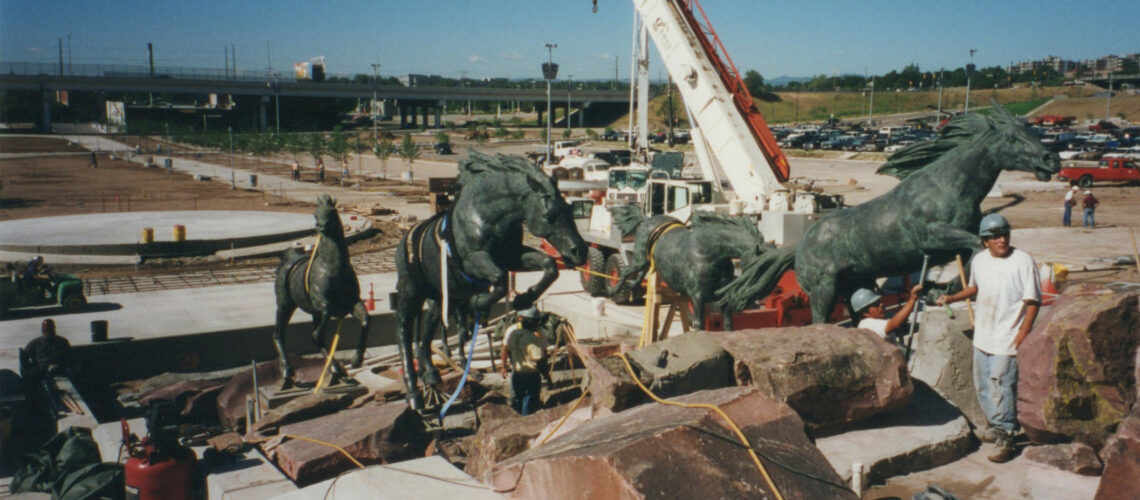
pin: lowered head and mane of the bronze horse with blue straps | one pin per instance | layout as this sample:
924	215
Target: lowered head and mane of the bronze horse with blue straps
545	212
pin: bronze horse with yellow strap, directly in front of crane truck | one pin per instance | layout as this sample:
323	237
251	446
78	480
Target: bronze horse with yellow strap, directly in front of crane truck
695	260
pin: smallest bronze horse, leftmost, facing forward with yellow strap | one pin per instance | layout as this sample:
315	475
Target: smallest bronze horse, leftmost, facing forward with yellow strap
324	285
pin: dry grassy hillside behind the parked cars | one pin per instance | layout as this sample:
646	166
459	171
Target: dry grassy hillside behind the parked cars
792	108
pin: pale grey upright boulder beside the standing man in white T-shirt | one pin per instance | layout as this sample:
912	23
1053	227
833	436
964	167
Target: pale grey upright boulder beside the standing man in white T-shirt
943	358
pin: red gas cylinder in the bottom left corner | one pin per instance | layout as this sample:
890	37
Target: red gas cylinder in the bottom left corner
161	477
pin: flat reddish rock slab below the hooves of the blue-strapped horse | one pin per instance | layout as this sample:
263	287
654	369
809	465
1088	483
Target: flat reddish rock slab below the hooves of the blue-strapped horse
372	435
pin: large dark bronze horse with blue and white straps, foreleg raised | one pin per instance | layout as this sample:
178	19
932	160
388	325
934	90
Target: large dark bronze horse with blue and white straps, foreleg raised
473	248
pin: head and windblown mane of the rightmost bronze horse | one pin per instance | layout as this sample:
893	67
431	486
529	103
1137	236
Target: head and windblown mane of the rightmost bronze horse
1009	143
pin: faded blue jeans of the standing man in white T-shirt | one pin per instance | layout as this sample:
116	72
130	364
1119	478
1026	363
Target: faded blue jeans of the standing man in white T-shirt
996	380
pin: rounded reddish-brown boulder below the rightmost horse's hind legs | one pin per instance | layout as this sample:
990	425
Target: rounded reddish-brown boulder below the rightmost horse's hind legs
830	375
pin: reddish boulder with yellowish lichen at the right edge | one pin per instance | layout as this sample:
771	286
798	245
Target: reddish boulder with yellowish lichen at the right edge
1077	367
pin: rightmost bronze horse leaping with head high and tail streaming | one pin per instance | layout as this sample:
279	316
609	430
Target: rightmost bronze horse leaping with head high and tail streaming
934	211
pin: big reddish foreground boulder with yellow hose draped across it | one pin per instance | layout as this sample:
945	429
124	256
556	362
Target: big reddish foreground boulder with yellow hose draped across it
665	453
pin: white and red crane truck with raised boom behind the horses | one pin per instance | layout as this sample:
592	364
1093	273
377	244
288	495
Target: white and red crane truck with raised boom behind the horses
744	171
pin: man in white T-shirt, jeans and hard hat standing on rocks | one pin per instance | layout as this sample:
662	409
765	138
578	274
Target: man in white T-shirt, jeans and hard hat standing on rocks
1008	290
